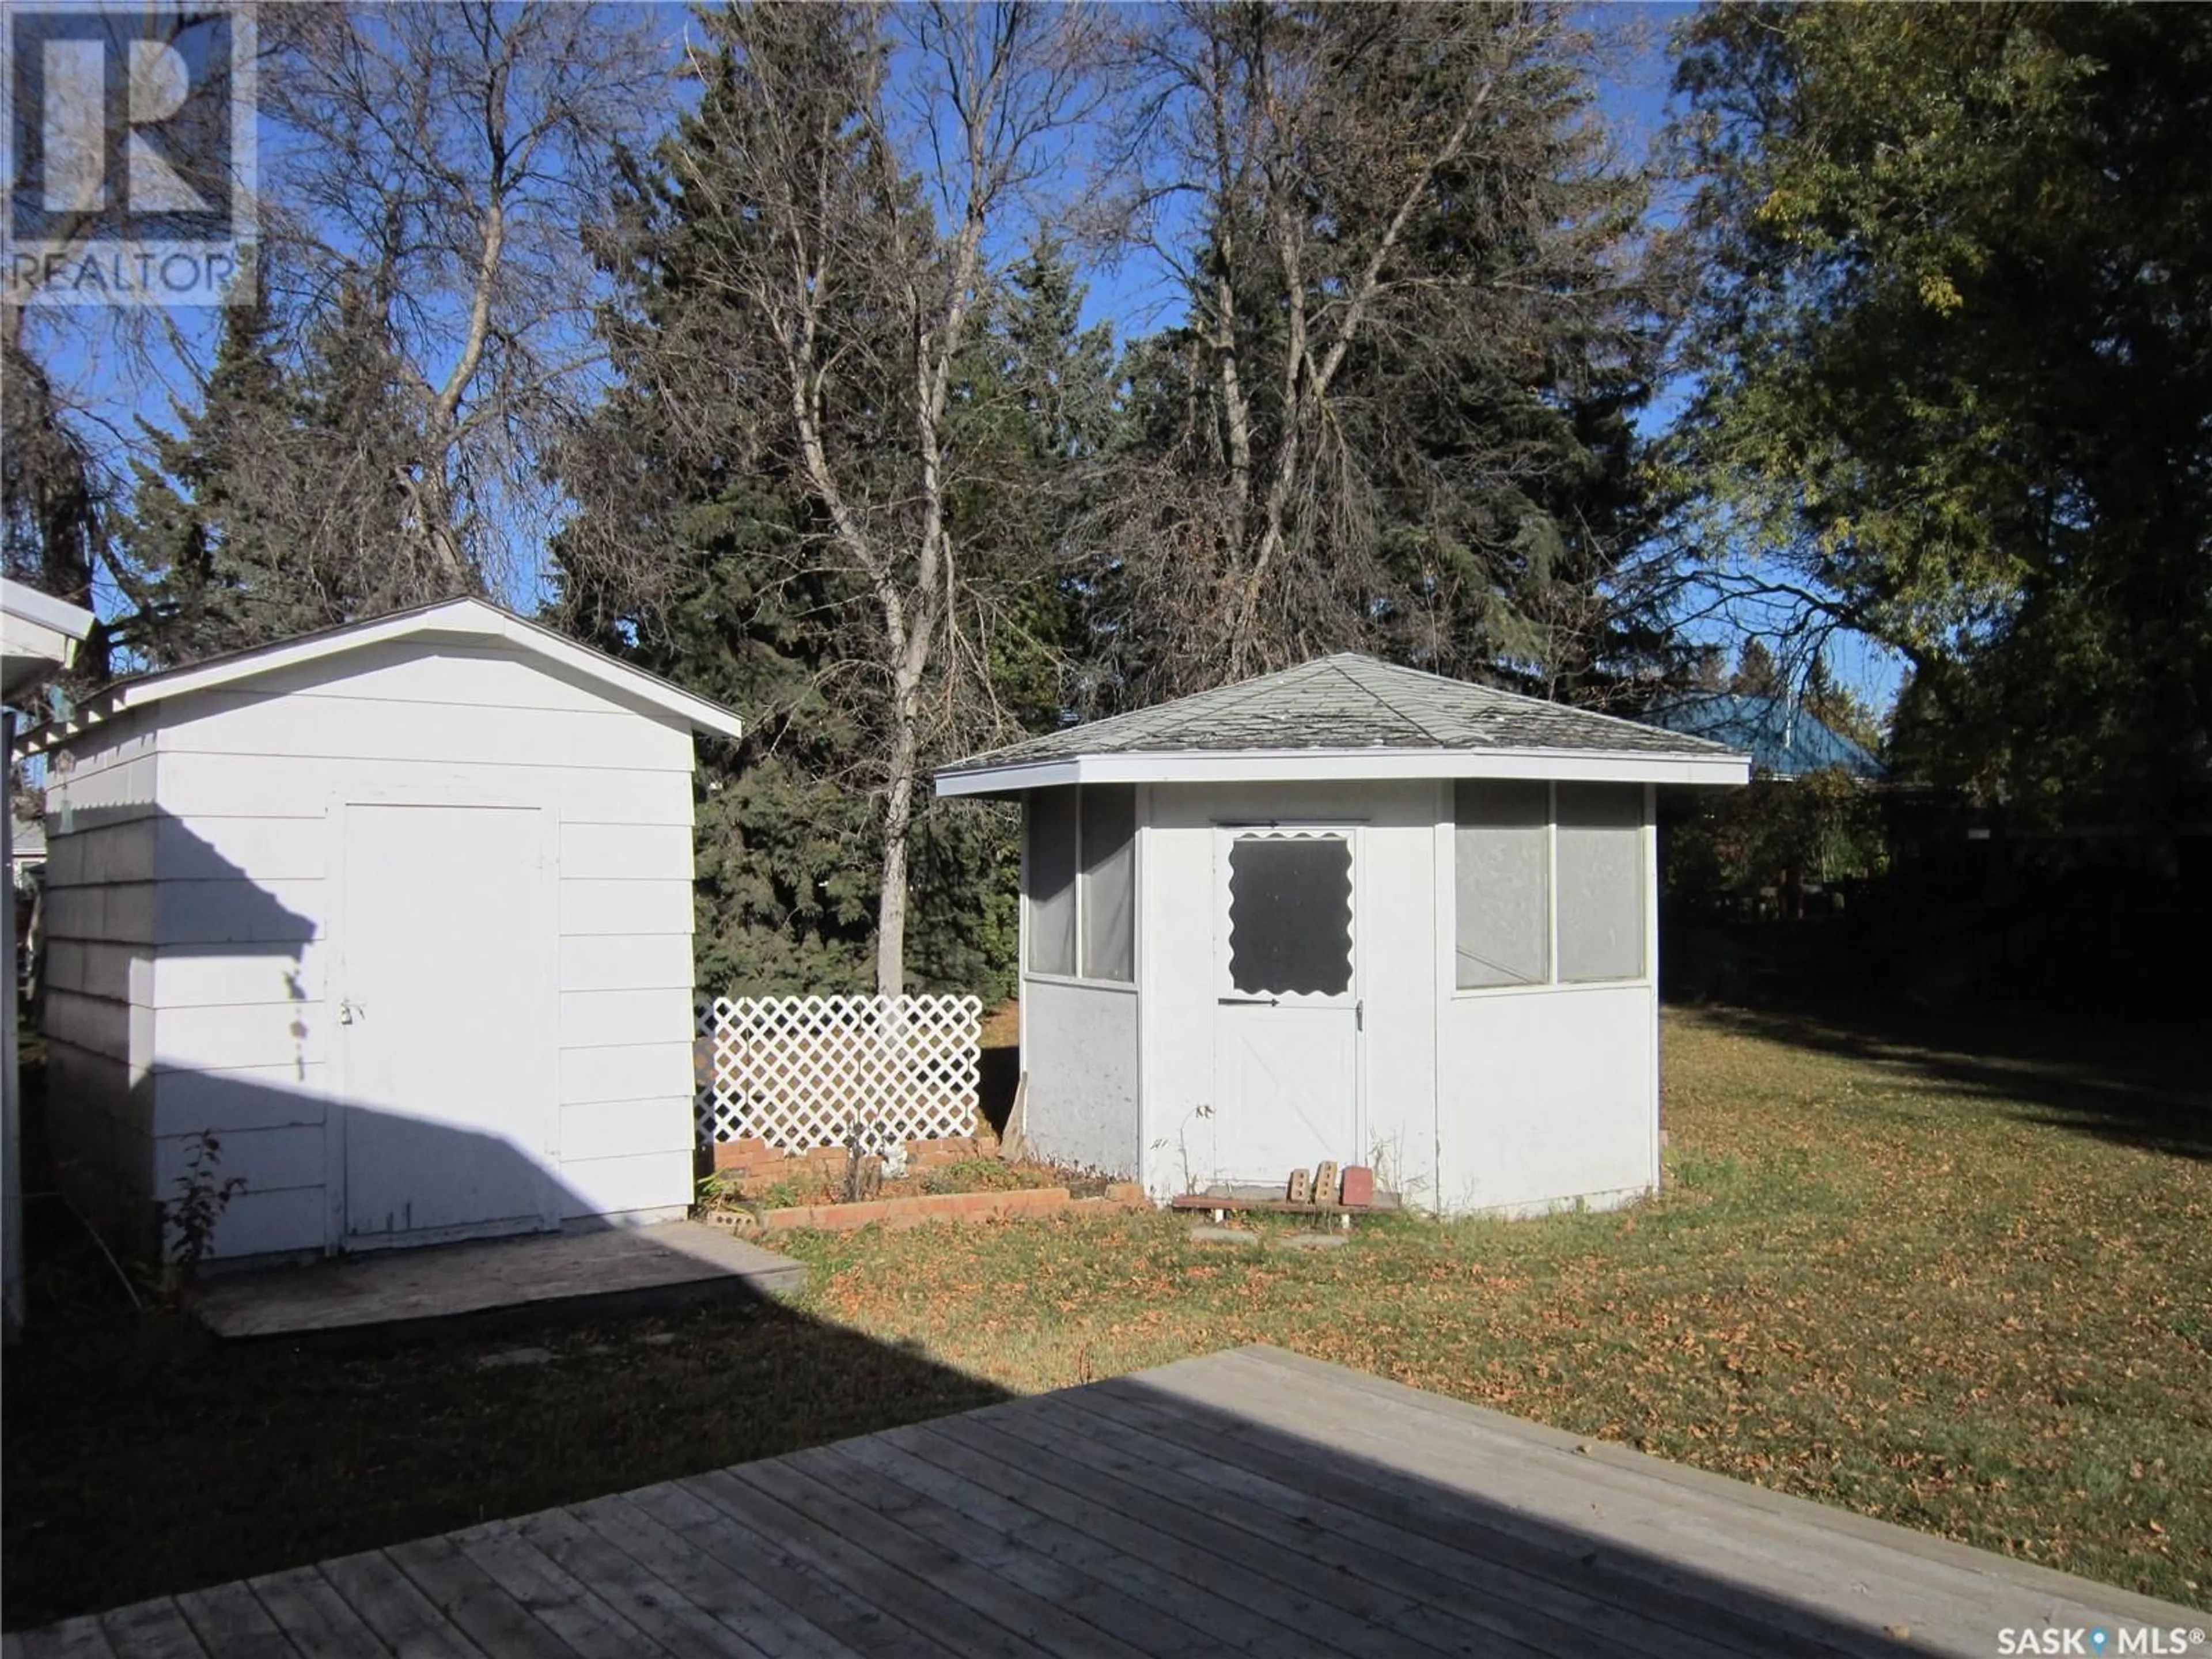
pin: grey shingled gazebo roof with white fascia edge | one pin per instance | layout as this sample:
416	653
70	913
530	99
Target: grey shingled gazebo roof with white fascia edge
1346	716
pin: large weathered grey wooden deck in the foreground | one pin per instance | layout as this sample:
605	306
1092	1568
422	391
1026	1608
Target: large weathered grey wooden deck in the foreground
1242	1503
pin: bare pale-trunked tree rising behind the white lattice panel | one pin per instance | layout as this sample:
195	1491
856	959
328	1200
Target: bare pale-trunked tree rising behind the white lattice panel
839	253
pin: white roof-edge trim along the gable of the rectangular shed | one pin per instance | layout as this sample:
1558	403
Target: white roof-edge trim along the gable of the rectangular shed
463	623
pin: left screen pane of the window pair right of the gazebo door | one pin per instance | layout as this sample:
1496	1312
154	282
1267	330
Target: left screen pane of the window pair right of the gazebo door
1501	879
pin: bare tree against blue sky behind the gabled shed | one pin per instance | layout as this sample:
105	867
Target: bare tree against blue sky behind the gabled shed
430	176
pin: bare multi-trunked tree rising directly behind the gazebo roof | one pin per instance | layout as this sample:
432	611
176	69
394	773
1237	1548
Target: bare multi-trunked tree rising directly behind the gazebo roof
1370	211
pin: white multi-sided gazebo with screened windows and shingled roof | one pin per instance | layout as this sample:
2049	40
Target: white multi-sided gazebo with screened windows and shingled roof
1348	912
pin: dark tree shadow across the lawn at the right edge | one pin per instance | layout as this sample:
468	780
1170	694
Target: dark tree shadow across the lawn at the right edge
2136	1087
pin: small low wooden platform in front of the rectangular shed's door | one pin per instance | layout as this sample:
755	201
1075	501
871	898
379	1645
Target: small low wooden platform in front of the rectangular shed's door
539	1273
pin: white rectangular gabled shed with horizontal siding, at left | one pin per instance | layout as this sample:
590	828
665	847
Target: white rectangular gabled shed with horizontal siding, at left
399	912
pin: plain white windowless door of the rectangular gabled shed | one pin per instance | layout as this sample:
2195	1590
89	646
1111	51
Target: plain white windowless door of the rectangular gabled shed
446	1023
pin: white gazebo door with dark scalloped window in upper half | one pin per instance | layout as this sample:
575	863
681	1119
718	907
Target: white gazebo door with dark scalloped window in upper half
1286	1010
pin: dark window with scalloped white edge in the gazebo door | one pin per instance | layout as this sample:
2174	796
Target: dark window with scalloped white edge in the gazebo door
1291	915
